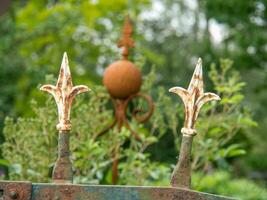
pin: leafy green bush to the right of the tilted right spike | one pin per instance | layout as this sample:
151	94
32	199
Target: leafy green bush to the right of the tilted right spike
224	129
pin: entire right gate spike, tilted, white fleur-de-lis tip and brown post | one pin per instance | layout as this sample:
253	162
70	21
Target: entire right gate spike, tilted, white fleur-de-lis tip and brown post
193	98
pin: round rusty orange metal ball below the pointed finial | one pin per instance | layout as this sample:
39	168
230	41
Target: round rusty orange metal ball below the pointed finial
122	79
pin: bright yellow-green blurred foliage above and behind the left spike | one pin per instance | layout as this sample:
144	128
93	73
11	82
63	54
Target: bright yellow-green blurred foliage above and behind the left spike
88	31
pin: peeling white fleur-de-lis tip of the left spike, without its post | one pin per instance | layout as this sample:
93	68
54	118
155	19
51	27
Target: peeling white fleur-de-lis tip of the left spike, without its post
64	93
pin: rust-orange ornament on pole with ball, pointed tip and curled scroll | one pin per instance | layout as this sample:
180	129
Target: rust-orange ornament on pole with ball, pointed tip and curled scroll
123	81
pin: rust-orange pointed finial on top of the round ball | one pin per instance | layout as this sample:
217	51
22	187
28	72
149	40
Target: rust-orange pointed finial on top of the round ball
126	41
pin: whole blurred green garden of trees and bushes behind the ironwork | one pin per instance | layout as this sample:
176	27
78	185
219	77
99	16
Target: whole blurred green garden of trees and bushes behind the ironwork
229	155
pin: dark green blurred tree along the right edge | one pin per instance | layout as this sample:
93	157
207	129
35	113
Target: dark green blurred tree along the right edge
244	40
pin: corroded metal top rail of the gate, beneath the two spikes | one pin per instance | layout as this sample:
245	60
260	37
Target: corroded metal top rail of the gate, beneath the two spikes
96	192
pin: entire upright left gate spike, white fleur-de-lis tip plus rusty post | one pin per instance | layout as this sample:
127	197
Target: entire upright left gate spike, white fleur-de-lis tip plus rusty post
64	94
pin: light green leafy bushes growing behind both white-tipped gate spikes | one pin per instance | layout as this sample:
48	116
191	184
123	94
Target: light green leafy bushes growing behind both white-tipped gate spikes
30	145
